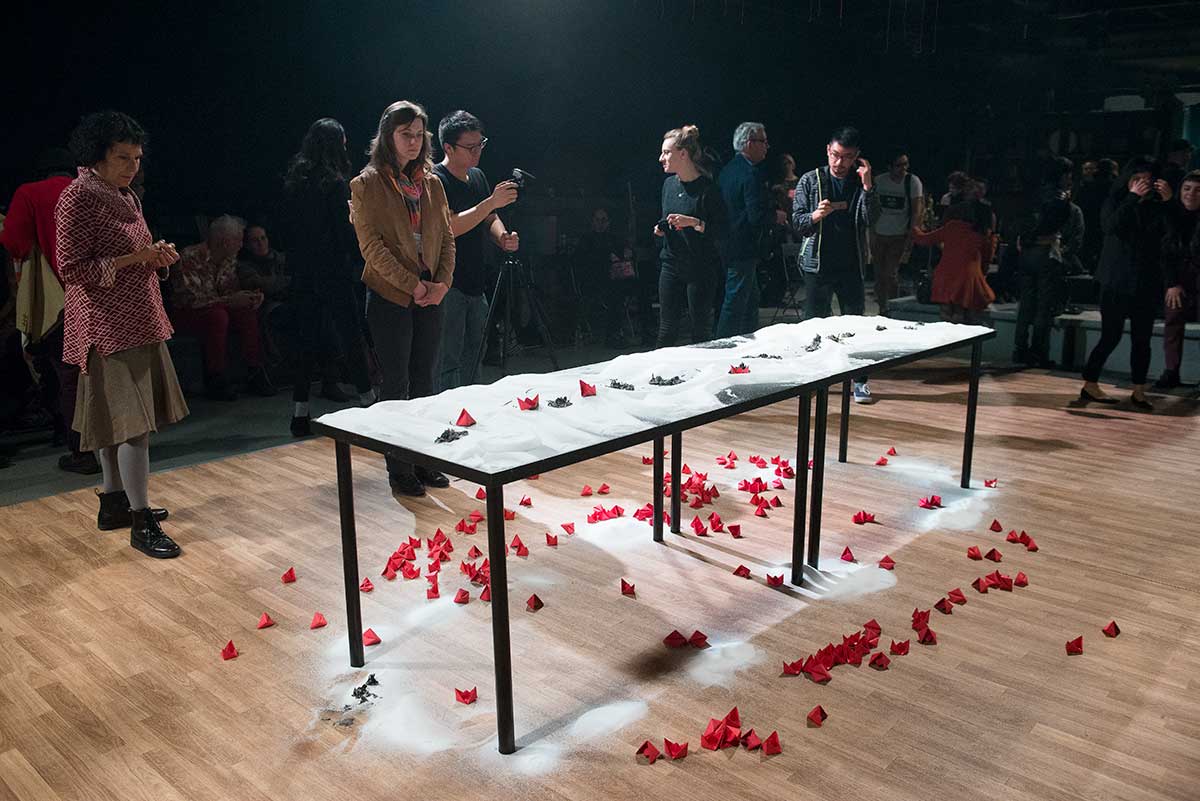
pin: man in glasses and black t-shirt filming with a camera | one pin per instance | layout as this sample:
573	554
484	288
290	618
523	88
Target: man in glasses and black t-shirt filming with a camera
473	206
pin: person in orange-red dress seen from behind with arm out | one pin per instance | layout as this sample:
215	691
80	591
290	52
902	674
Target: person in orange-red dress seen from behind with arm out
959	281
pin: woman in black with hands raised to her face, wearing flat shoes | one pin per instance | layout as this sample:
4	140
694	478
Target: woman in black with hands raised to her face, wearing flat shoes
1136	219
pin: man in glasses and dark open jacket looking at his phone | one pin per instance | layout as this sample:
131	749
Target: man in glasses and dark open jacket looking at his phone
835	209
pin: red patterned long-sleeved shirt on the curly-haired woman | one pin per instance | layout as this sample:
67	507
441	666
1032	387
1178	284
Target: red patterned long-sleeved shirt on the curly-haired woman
106	309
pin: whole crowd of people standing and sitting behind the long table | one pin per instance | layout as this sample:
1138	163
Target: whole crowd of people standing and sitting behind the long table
385	281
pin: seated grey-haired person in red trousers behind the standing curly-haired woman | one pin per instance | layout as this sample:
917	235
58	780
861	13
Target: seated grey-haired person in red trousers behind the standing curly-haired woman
207	302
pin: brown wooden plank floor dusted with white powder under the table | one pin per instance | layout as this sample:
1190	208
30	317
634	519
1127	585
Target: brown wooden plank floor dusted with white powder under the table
112	685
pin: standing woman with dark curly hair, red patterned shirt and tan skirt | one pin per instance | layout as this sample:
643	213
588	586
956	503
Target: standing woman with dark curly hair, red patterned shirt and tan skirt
116	328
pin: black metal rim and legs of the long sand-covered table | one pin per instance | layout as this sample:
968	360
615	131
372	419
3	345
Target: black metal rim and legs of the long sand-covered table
807	527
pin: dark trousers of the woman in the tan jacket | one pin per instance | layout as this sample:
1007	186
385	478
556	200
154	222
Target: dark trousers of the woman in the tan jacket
406	340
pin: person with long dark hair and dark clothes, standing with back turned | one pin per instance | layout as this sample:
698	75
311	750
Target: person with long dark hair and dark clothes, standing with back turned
322	249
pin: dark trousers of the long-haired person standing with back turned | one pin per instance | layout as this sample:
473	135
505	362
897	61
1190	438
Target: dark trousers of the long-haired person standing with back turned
310	311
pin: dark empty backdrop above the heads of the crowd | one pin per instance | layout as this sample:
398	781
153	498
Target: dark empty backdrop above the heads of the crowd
581	92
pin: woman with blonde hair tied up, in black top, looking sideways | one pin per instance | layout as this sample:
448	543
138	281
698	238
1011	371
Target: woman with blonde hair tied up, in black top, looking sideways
693	220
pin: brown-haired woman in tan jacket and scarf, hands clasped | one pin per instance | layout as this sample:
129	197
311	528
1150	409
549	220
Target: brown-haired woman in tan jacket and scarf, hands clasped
403	224
